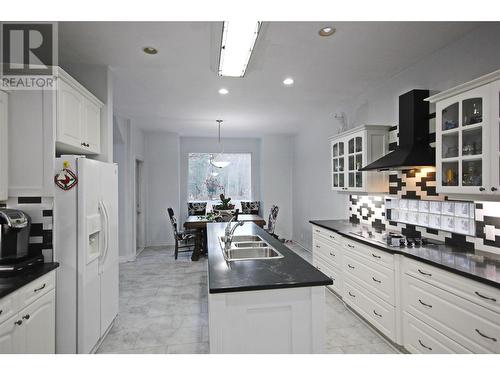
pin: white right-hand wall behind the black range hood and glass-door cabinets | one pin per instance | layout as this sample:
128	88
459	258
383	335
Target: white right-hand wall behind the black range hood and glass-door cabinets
475	54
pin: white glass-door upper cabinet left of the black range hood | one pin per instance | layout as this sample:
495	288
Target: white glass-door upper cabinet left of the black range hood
354	149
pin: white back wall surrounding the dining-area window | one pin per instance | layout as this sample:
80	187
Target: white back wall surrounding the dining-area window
209	145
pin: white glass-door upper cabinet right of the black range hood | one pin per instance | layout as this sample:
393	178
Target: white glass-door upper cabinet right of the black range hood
467	137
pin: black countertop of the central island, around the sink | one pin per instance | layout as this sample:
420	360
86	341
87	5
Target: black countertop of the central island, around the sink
291	271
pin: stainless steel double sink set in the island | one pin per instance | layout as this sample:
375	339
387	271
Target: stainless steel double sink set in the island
248	247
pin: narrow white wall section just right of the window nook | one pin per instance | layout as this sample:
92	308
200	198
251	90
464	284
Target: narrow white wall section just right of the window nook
276	180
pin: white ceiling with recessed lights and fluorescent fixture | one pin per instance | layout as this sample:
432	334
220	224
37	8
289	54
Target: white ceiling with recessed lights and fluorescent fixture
177	89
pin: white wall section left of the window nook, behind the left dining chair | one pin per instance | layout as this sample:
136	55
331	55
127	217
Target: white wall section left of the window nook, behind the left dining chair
162	187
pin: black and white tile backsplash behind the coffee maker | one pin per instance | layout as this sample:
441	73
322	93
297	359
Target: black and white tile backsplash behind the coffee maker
40	210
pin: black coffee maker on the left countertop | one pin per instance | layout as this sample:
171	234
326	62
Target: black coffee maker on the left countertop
14	235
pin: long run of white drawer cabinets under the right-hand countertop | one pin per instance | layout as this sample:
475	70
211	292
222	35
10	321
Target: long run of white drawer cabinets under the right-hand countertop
424	308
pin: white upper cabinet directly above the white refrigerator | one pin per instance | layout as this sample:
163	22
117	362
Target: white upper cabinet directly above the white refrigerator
78	118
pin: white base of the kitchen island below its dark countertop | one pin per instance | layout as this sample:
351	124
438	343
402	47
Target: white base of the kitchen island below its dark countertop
275	321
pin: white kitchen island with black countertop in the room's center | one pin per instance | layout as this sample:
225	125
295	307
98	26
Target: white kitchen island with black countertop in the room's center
273	305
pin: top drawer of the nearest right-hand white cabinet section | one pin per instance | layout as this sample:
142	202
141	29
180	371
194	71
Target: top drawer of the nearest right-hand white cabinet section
474	291
